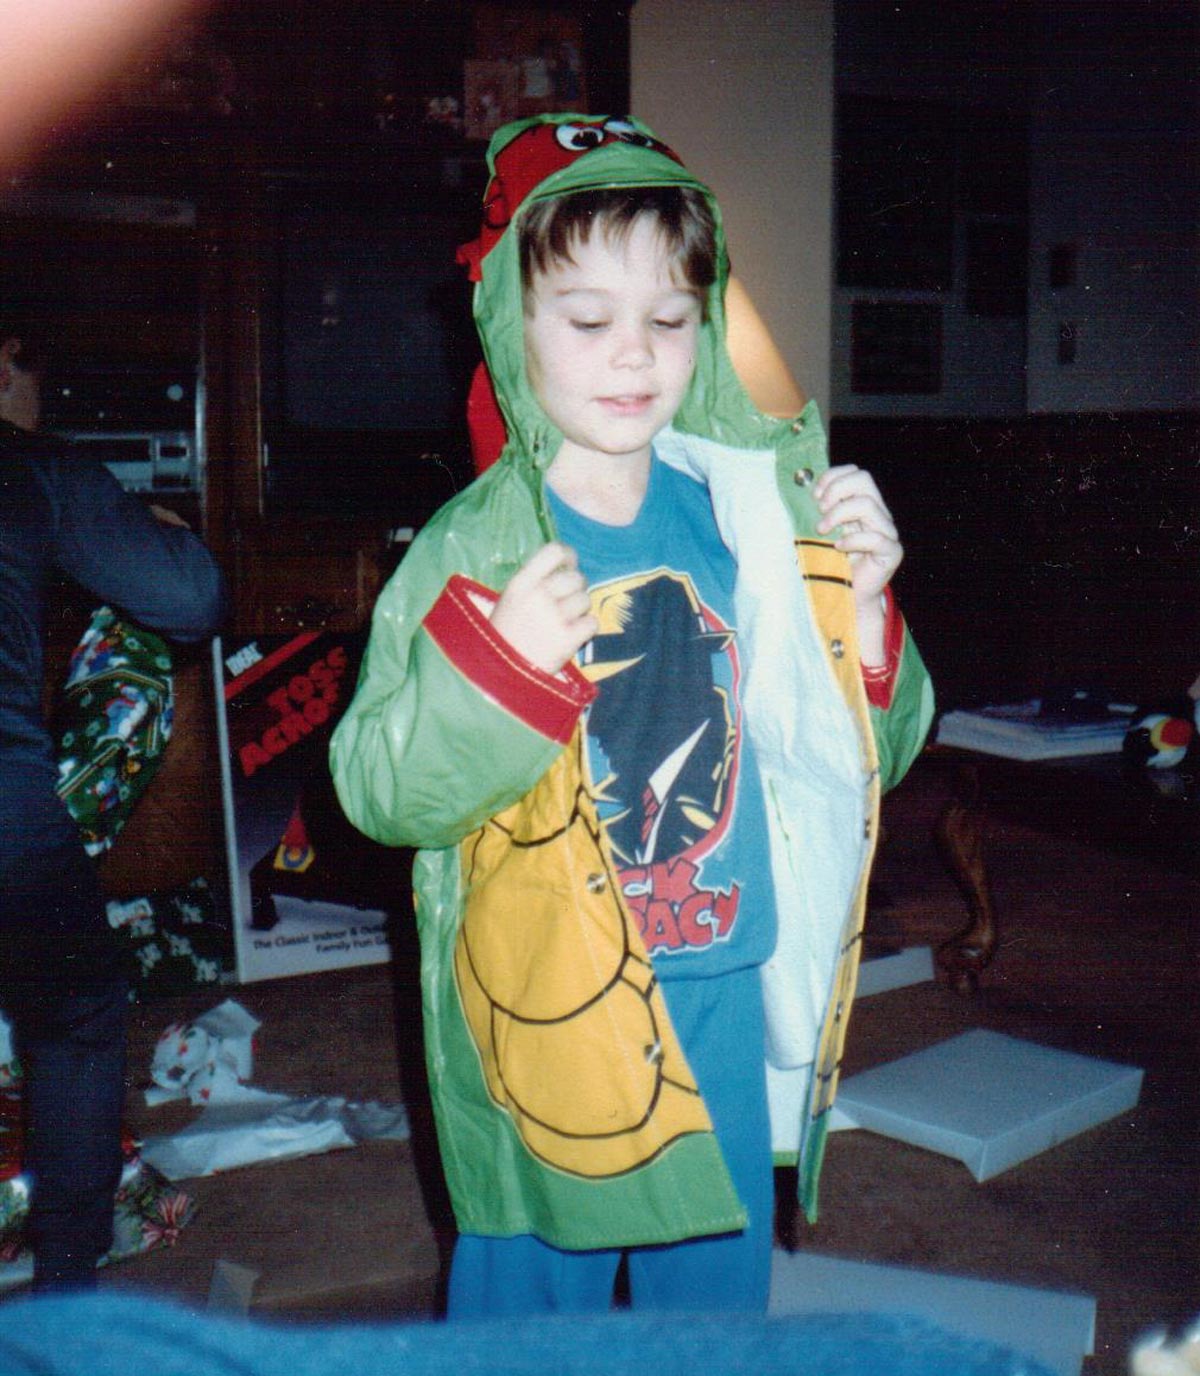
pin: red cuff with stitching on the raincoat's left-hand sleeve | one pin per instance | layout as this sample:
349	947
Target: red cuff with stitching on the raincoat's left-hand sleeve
550	704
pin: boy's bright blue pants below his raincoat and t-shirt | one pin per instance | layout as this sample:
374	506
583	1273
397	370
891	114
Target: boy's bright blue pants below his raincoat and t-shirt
720	1024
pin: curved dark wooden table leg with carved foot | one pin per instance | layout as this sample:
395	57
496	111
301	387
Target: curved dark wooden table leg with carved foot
961	835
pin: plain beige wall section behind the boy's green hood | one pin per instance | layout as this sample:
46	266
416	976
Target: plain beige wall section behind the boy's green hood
744	92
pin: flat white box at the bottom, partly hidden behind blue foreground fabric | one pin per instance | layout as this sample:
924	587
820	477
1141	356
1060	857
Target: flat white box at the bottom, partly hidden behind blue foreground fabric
1051	1327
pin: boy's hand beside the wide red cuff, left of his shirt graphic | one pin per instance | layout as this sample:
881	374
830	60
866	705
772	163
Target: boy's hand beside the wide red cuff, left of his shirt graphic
546	613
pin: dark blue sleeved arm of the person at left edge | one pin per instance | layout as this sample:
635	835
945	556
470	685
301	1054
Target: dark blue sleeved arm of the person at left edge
158	574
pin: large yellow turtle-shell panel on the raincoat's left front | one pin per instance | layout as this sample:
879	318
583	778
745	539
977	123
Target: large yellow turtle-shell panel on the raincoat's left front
559	994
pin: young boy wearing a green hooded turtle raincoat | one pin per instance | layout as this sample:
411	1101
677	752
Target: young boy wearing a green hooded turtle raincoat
634	694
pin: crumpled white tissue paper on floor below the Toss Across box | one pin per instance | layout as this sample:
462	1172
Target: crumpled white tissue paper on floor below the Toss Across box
208	1062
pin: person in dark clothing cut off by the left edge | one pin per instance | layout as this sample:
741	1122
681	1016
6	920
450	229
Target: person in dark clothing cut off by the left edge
60	978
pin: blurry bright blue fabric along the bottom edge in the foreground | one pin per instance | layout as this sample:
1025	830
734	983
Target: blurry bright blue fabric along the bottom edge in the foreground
111	1335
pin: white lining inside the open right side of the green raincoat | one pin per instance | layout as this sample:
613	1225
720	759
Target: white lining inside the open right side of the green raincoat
810	757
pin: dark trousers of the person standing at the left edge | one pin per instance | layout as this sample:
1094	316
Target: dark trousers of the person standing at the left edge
63	991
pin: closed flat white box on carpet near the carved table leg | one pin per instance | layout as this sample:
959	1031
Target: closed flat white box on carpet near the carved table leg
989	1100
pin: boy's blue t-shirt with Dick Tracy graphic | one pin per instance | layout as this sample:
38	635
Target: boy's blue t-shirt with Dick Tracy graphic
674	775
